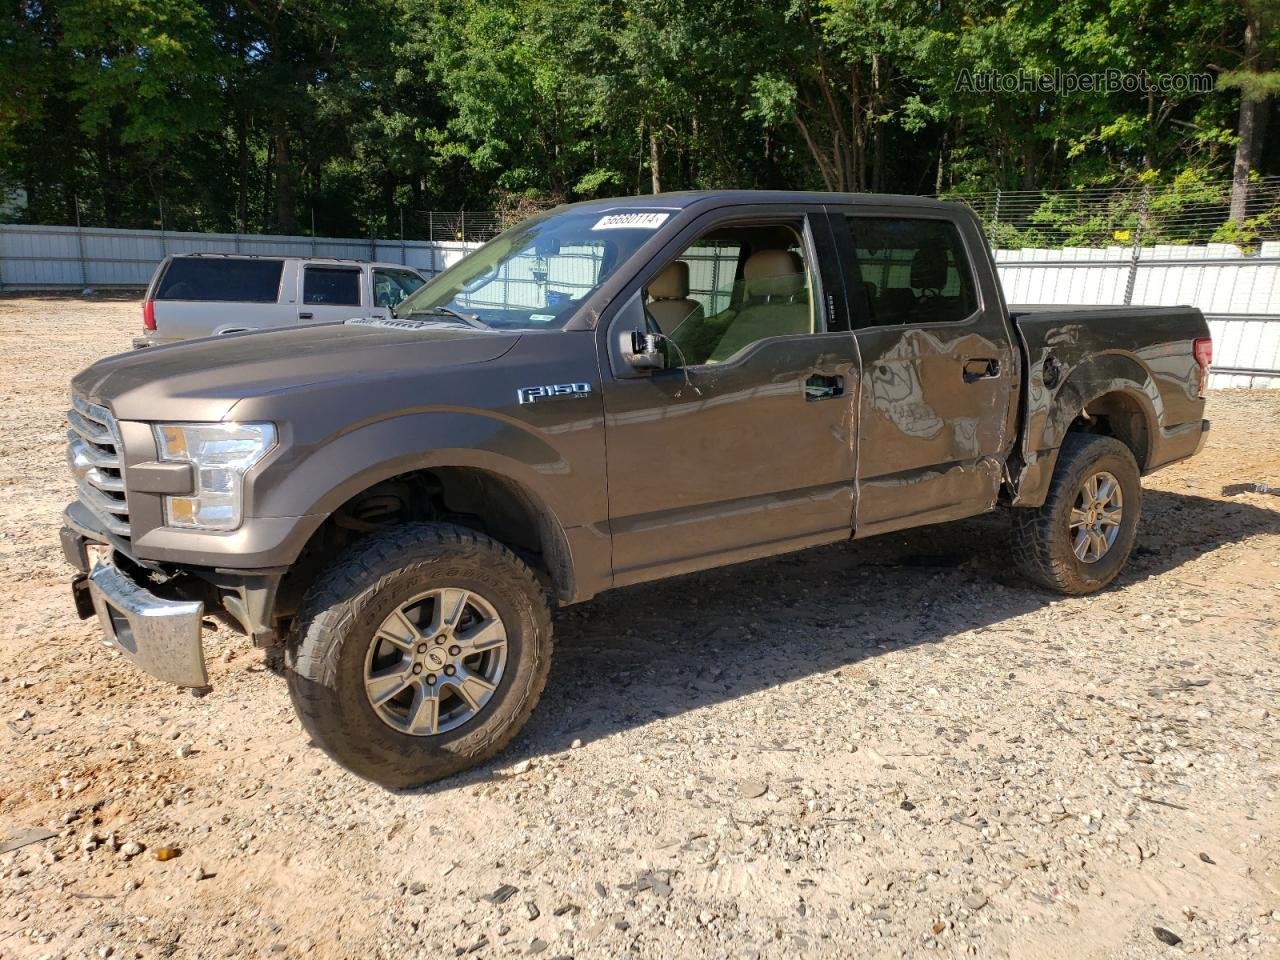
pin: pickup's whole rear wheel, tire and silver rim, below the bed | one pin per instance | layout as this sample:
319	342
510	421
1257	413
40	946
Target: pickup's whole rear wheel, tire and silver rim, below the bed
1080	541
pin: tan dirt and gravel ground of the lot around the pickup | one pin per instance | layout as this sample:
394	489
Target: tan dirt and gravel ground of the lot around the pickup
879	749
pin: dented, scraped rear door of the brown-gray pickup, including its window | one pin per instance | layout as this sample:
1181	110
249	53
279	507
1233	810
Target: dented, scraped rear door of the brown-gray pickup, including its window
940	372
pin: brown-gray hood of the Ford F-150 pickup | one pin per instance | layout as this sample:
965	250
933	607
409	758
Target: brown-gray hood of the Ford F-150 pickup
202	381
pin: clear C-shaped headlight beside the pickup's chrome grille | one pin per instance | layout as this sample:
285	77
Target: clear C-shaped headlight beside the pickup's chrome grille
220	455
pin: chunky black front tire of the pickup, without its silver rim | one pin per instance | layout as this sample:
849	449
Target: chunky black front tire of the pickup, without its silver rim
341	612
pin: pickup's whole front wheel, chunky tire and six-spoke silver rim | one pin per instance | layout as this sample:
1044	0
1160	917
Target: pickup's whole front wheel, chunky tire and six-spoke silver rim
419	653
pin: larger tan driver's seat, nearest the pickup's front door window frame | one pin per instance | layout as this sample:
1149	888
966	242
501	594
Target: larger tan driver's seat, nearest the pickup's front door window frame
778	303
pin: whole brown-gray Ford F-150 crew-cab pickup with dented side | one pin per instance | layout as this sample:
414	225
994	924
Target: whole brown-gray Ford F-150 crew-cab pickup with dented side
606	395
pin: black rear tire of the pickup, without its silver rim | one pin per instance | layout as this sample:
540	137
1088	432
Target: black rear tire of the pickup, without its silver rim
1041	536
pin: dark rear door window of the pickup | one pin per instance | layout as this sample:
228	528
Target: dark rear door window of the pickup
913	272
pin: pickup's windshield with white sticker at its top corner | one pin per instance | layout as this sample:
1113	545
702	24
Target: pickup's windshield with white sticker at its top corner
534	276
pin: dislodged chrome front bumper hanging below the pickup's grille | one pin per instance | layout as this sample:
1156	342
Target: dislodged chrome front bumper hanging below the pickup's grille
161	637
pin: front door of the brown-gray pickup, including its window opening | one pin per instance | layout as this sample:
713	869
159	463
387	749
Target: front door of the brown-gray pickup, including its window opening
744	446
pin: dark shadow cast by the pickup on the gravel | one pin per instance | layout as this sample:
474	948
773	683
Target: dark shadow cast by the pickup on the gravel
646	653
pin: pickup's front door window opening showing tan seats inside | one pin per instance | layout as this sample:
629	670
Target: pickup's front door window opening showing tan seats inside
733	289
